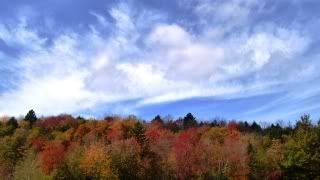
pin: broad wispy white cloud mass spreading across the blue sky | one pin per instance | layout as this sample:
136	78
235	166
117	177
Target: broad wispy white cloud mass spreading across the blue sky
134	53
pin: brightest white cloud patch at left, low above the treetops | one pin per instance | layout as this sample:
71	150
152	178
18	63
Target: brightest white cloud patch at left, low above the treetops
48	95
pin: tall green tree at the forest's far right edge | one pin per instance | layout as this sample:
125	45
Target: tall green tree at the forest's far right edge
302	152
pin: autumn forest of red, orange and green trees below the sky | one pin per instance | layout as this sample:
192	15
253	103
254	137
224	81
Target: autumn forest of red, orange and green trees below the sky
76	148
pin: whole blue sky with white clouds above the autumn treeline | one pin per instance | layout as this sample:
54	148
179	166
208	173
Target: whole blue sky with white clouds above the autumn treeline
235	59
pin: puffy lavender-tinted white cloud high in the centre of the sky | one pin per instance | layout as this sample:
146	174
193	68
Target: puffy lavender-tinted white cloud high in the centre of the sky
183	56
